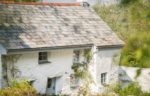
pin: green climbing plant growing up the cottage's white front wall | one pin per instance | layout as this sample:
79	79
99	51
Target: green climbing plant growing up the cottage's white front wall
81	71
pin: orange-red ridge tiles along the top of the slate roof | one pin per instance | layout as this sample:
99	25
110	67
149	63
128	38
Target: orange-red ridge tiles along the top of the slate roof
40	3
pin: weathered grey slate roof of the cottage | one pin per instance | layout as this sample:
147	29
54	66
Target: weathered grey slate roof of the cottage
38	26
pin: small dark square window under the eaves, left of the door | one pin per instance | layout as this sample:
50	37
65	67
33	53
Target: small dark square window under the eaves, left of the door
43	57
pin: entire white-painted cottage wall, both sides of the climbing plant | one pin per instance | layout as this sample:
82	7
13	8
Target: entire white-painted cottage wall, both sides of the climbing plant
61	62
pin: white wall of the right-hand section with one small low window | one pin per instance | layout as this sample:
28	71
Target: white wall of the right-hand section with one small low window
106	63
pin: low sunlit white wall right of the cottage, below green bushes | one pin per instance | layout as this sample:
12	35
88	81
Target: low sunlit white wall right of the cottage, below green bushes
143	79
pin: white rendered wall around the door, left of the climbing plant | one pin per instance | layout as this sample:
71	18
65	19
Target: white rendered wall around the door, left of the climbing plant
61	61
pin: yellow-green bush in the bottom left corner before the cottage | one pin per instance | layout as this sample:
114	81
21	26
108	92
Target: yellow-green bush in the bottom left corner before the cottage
18	89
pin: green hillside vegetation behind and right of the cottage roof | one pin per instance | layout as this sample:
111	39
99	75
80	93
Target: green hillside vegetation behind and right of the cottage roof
131	21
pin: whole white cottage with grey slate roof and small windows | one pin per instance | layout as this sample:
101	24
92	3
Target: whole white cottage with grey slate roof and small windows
40	43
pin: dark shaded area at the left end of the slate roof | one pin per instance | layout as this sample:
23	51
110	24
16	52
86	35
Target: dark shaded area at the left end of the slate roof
11	28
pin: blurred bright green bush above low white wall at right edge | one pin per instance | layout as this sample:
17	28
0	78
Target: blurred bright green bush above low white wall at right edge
136	52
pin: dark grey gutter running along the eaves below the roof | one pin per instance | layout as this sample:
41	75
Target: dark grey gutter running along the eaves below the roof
85	46
